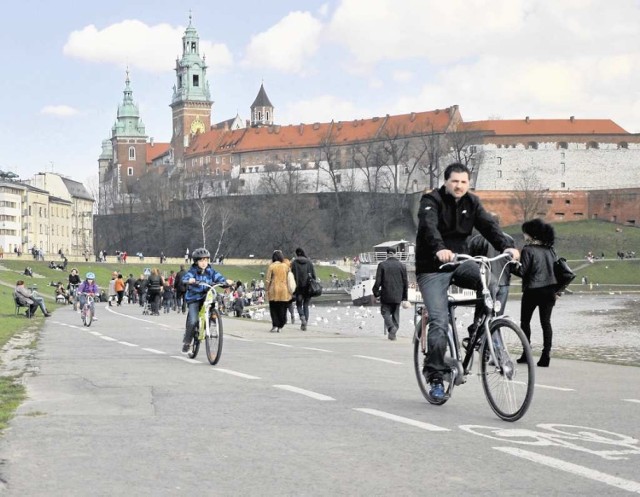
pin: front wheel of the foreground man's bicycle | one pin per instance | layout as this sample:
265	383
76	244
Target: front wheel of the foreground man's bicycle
507	385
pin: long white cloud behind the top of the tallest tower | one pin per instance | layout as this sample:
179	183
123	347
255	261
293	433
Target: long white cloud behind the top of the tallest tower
134	43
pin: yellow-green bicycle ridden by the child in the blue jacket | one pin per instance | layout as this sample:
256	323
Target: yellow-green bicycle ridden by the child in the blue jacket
209	327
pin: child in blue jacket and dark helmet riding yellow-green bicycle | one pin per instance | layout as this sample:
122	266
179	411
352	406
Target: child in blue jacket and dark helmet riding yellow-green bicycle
200	271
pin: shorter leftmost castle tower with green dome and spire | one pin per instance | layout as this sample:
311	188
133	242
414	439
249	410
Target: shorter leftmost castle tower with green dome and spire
128	141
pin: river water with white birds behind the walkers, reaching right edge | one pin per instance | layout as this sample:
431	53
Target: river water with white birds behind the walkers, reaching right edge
604	328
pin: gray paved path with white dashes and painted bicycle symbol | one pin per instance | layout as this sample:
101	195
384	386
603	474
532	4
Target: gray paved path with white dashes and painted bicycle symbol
115	409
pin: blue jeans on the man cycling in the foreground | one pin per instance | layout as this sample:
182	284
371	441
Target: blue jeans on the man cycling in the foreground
433	287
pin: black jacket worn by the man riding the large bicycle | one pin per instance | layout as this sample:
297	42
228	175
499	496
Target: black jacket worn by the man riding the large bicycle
444	223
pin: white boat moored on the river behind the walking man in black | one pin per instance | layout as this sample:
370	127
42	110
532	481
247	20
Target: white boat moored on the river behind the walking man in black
367	265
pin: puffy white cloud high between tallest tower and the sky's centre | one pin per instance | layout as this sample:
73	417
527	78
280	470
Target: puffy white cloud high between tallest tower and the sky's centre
287	45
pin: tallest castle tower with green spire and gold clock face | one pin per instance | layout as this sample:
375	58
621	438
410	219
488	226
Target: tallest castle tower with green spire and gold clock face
191	102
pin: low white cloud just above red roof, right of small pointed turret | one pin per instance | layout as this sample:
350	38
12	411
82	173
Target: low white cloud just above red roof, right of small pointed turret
320	109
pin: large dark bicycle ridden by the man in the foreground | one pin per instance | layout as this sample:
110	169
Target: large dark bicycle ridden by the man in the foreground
508	386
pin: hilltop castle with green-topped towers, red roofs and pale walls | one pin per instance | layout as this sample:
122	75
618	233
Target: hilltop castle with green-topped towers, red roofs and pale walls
395	153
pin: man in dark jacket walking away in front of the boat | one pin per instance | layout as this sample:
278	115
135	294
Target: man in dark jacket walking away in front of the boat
392	286
